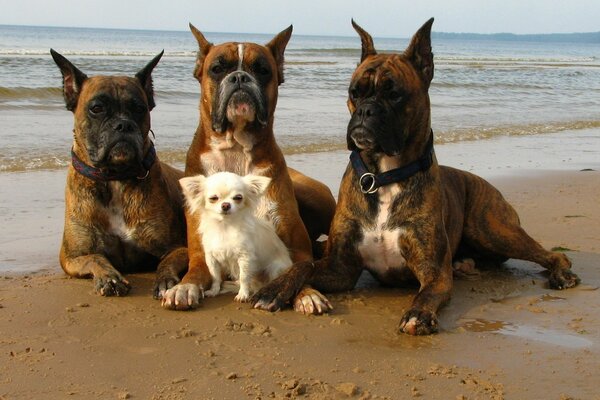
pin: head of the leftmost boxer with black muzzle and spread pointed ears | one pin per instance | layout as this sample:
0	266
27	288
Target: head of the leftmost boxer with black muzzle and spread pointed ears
112	114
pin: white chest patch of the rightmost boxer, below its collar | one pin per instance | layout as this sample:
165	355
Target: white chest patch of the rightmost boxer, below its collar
380	248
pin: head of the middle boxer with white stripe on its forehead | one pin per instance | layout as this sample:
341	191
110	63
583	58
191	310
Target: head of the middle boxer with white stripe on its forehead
239	82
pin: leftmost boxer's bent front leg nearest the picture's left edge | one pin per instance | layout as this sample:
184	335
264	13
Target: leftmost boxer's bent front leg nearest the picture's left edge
107	280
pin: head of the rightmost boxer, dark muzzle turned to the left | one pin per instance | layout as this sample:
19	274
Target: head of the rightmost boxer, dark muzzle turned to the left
388	96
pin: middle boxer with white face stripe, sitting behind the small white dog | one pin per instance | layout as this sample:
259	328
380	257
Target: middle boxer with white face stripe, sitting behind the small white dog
239	84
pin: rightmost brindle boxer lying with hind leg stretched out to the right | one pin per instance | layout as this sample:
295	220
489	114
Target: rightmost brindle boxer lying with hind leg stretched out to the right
399	214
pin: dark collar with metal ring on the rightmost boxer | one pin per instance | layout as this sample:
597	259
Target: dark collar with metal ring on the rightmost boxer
370	183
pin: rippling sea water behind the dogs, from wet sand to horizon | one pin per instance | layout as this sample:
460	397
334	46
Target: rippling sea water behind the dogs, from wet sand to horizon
481	89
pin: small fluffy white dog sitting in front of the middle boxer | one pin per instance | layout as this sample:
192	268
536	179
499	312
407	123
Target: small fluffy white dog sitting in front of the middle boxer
237	243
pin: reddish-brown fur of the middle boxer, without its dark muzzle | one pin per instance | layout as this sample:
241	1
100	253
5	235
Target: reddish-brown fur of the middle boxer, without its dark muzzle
304	207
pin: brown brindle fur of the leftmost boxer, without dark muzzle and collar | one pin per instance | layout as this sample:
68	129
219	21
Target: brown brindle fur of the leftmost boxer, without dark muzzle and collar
151	208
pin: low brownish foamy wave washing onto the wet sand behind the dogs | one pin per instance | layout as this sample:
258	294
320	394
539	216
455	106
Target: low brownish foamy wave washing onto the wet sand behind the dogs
290	145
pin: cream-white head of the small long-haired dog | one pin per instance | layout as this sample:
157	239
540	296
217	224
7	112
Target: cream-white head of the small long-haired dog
224	193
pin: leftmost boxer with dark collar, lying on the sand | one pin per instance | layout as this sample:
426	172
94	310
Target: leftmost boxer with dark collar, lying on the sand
123	208
